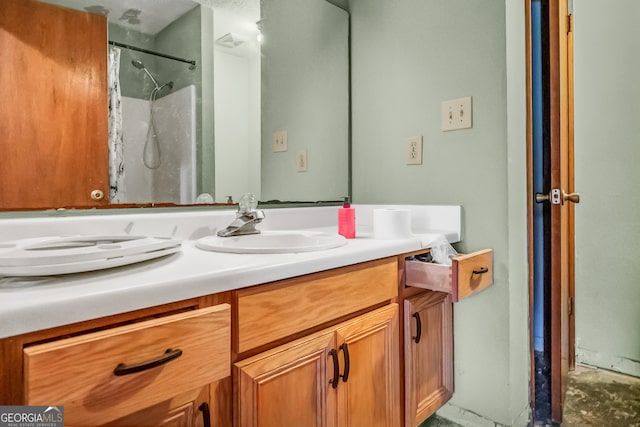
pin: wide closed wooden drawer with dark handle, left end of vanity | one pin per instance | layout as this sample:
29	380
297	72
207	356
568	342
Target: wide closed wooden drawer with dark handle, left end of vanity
79	372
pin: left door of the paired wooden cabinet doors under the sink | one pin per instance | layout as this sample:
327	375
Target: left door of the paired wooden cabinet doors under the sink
288	386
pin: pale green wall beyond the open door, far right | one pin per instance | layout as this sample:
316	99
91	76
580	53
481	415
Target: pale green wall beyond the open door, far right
607	147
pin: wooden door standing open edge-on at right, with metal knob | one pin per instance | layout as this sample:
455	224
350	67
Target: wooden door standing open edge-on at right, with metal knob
562	238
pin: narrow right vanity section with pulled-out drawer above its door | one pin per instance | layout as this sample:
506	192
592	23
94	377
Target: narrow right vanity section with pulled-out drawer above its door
427	292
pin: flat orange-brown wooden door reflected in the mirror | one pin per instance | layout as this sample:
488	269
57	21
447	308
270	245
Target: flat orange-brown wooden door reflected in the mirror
53	114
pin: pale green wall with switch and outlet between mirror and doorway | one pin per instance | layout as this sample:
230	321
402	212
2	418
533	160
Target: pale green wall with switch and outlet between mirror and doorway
407	57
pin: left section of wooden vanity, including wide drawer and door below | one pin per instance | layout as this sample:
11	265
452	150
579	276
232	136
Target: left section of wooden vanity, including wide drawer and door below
153	367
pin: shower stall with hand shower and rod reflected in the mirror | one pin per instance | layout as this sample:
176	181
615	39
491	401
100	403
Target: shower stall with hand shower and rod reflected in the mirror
159	108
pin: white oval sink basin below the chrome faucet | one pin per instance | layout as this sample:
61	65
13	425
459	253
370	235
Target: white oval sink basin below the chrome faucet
272	242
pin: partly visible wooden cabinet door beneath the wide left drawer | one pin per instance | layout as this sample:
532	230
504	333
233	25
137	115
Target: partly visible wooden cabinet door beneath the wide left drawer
186	410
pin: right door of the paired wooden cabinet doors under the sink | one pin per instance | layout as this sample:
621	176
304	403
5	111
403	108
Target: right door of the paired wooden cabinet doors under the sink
368	393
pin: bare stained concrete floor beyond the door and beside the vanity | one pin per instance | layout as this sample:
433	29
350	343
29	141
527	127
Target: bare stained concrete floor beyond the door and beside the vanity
595	398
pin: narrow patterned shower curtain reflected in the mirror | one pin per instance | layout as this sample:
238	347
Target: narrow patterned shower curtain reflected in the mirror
116	141
